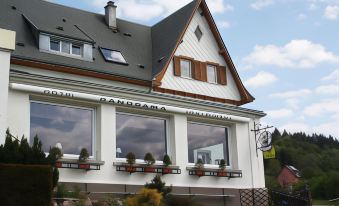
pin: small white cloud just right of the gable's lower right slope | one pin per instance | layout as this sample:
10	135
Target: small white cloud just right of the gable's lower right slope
261	79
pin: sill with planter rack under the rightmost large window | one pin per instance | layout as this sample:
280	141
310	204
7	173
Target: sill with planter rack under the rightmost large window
230	173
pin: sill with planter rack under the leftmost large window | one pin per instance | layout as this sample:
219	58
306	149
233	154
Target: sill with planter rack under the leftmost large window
75	164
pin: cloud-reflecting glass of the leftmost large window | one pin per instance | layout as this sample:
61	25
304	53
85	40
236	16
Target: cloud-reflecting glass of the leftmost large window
71	127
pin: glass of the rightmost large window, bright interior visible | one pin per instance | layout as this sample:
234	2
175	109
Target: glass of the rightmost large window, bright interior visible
209	143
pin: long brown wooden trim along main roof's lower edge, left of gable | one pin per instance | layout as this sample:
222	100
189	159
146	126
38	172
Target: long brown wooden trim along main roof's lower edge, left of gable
77	71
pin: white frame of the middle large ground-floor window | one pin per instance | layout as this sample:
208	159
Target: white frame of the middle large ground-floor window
167	141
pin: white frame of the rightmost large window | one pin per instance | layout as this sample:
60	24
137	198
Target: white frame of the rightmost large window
228	141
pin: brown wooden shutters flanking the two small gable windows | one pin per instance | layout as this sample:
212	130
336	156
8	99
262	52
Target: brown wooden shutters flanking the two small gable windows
199	69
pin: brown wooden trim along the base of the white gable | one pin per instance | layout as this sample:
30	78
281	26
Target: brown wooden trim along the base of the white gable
198	96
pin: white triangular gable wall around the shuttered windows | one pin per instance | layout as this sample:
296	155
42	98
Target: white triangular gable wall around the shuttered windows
204	50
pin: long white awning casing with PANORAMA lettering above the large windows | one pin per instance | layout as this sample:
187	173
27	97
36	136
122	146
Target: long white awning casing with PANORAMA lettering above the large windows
124	102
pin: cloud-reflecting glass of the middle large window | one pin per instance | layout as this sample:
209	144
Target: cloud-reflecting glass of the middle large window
141	134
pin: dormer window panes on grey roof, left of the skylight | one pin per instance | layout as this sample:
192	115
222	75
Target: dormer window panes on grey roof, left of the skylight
65	47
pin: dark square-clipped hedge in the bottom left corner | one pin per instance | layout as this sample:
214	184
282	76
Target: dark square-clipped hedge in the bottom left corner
25	185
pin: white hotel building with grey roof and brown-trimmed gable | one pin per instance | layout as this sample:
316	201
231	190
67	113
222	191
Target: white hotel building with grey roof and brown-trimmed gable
84	80
